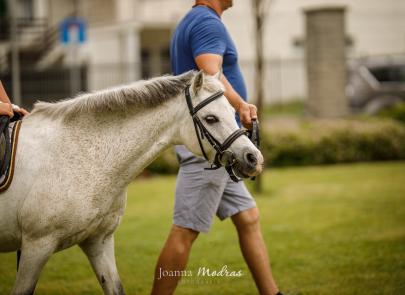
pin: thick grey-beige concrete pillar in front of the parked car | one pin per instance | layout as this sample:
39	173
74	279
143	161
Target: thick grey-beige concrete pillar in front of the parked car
326	61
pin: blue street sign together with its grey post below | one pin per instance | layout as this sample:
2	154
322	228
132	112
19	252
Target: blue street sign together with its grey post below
72	35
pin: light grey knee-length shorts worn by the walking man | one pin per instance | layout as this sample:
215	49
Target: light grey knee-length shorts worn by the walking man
202	193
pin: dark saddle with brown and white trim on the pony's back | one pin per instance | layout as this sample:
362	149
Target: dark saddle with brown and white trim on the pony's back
9	129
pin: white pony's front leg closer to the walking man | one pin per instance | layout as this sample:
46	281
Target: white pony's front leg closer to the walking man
100	252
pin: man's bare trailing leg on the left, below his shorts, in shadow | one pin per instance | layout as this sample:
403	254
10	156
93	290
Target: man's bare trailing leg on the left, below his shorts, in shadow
174	256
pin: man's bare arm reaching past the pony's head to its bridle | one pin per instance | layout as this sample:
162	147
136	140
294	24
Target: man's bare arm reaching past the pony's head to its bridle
212	64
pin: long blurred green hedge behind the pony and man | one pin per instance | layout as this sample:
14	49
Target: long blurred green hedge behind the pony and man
319	142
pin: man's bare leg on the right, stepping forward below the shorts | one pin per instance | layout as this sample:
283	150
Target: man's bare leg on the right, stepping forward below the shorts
254	250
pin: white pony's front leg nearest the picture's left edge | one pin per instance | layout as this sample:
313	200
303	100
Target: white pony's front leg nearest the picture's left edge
34	255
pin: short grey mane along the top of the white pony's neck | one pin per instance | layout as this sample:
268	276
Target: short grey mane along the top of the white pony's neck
140	94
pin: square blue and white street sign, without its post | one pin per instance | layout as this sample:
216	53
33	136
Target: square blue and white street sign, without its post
72	30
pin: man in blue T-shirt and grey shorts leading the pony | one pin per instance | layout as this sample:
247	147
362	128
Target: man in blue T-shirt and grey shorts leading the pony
201	42
